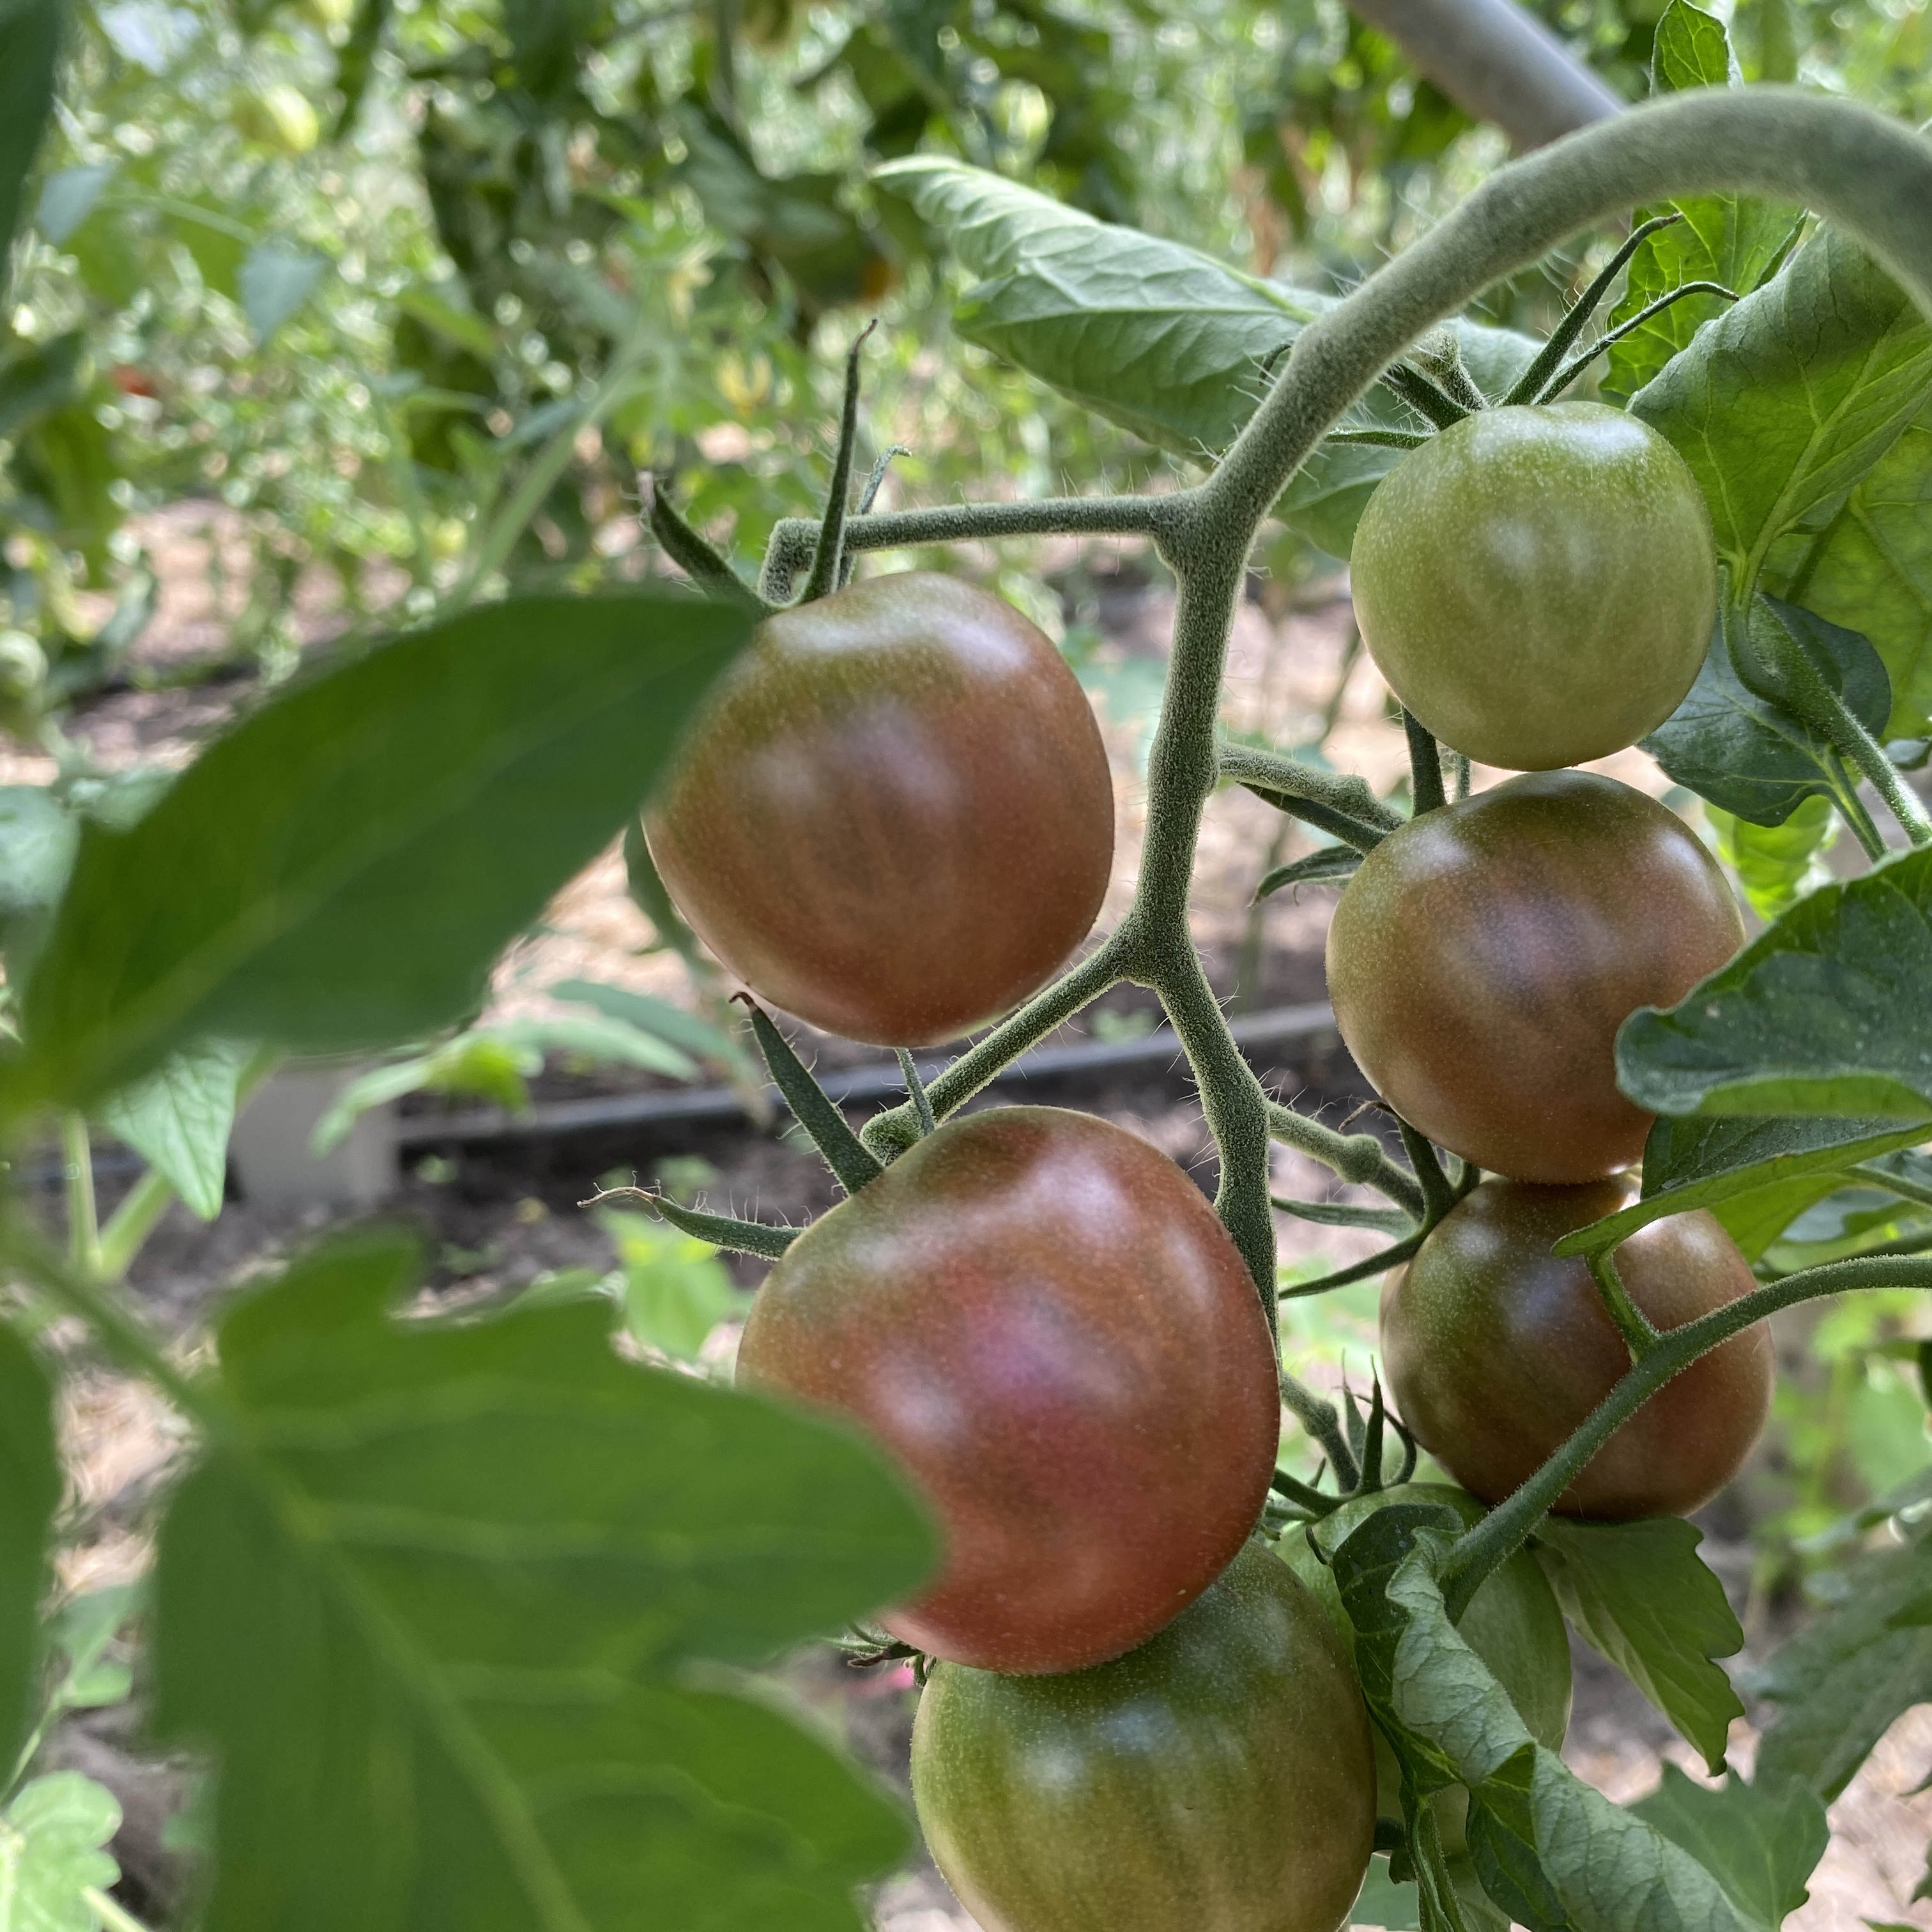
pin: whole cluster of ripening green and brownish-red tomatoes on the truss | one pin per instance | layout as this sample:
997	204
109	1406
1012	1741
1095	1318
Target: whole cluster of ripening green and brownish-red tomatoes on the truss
895	820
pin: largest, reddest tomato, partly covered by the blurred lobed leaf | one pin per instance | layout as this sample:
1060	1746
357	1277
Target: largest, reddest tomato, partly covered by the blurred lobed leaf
1044	1322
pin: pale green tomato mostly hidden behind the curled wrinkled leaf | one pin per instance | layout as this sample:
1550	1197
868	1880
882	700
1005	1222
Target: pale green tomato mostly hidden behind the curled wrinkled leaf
1514	1624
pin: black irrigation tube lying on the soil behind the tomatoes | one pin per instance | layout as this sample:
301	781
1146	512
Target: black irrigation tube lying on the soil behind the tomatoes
853	1085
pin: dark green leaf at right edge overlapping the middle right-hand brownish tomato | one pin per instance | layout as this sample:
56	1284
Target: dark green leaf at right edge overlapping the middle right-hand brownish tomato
1825	1013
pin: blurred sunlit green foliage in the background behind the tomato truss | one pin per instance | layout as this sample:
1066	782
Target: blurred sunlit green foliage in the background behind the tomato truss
407	293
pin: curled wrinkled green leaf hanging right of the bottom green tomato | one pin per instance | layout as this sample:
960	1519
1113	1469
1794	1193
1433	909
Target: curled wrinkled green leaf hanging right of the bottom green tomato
1547	1848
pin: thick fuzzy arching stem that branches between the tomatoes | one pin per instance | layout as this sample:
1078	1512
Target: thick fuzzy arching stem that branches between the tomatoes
1858	169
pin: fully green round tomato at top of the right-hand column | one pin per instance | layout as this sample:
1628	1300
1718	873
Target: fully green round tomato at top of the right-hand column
1539	584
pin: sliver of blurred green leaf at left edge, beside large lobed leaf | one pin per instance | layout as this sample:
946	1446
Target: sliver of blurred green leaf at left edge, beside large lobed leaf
30	1494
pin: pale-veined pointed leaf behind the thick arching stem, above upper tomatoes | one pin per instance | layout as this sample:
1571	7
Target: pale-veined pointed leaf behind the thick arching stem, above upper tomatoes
1152	335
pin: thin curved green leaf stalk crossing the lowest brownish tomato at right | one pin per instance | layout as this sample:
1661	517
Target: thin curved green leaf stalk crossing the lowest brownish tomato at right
1502	1533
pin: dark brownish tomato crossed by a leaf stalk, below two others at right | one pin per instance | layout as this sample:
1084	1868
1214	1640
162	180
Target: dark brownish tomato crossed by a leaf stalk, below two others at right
1496	1351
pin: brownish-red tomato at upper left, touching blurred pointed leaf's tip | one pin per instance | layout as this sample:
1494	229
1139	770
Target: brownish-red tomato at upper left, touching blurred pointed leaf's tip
895	816
